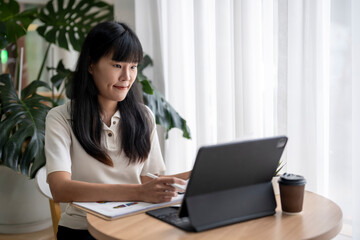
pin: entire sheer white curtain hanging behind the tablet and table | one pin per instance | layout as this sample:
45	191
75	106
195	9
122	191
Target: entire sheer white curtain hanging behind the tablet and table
255	68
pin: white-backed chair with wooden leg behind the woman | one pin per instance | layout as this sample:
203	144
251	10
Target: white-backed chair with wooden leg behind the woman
45	190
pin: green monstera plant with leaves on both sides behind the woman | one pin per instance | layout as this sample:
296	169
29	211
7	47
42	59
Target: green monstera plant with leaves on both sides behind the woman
22	118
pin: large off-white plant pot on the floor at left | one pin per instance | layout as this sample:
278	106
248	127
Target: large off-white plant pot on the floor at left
23	208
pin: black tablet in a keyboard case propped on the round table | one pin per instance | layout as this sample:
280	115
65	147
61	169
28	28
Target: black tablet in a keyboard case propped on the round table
229	183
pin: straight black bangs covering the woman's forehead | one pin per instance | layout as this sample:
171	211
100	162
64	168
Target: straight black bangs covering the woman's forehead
127	49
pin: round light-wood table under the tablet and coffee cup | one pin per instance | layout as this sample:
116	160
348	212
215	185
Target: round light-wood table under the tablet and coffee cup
320	219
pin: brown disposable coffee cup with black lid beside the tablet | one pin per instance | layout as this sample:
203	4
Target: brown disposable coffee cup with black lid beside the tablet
292	189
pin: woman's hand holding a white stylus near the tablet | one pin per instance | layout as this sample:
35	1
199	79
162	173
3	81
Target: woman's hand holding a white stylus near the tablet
160	190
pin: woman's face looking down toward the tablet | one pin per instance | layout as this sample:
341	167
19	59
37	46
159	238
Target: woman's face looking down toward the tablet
113	79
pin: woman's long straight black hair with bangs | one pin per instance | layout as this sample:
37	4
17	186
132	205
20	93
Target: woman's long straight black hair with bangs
119	40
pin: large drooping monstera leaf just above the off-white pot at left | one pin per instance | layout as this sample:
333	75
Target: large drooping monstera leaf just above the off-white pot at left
22	126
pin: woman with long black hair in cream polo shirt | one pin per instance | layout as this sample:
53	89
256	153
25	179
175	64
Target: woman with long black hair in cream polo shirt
100	145
